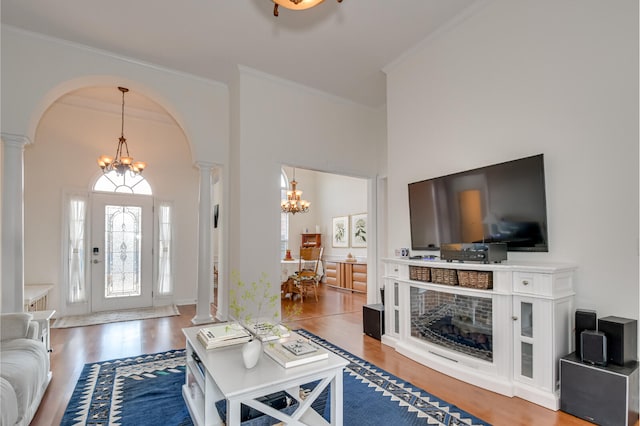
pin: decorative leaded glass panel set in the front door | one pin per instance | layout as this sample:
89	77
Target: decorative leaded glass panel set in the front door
122	248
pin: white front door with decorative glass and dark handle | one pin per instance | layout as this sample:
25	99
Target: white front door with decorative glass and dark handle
121	252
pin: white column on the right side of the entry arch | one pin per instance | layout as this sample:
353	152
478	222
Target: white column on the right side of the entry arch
205	256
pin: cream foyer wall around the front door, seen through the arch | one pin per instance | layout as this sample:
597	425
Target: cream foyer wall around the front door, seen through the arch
63	157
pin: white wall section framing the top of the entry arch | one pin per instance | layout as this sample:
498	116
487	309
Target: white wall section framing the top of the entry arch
37	70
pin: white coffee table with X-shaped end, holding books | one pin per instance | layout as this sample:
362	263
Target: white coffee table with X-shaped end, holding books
225	377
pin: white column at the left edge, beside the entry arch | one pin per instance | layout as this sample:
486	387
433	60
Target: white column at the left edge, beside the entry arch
13	222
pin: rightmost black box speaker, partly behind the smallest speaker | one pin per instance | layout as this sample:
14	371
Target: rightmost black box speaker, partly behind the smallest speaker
621	339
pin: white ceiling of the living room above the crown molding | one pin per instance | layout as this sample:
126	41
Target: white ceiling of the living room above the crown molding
340	49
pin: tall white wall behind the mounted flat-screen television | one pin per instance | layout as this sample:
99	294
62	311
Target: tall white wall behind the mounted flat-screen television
526	77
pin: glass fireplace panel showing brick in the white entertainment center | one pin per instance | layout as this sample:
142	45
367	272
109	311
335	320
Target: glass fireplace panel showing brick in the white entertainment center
457	322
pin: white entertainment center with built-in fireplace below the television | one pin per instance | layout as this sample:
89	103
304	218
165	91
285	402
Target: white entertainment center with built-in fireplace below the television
507	338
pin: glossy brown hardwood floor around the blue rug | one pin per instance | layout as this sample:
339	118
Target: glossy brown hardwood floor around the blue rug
337	317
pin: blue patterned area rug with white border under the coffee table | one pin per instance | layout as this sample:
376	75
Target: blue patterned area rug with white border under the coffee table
146	390
